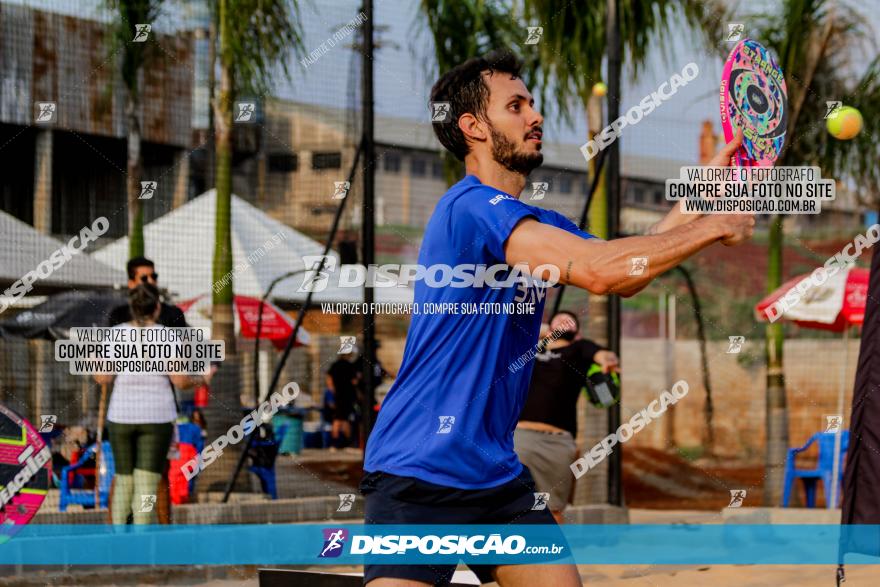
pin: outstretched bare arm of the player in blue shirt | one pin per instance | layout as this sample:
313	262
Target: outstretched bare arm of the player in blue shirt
605	267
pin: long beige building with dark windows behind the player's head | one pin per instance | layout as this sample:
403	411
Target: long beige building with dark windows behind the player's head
309	148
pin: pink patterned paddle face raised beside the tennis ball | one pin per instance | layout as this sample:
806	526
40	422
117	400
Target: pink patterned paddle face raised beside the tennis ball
754	98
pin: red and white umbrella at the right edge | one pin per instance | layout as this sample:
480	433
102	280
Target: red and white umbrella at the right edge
835	305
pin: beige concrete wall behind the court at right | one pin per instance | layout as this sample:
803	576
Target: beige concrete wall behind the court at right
813	371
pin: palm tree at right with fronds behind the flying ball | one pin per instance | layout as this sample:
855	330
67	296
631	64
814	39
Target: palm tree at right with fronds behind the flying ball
815	41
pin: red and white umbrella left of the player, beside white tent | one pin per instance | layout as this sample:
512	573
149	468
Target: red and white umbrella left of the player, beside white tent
277	326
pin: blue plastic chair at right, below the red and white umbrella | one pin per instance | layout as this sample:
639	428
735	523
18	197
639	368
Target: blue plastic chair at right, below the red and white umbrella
823	471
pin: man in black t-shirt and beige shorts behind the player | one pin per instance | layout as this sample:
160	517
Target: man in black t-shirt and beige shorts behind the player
544	436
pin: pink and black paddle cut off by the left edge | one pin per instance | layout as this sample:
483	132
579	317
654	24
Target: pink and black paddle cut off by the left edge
25	472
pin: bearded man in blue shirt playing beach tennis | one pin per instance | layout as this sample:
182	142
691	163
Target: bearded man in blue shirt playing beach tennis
442	449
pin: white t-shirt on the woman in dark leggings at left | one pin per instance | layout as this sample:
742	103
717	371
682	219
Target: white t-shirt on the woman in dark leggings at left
141	399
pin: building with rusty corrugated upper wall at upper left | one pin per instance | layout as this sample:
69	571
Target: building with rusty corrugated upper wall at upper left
63	173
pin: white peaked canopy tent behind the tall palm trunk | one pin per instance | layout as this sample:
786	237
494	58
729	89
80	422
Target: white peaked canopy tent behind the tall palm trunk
181	243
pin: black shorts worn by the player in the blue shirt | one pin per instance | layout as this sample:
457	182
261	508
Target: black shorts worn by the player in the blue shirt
405	500
